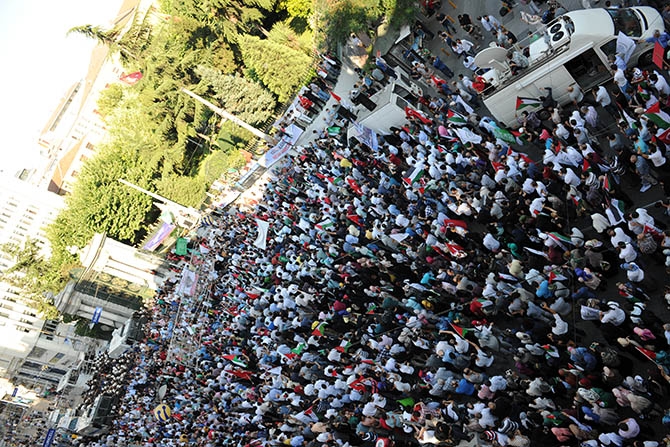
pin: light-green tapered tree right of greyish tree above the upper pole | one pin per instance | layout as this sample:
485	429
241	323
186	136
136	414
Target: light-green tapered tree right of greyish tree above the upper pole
281	69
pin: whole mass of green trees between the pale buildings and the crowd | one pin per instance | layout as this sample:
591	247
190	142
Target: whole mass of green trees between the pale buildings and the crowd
247	56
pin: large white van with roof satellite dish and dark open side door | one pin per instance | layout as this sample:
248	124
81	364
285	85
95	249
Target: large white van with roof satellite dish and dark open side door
574	50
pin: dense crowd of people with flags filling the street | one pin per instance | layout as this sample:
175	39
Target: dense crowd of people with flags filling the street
445	285
